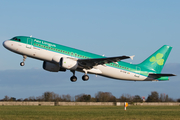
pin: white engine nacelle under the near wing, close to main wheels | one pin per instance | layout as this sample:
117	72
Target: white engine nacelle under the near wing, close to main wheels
68	63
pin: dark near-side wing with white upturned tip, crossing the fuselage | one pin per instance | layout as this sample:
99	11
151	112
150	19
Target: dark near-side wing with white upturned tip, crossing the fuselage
90	63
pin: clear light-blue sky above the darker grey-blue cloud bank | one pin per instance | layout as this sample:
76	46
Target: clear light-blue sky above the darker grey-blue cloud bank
112	28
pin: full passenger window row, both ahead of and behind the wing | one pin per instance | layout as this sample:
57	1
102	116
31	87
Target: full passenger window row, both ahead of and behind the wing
76	55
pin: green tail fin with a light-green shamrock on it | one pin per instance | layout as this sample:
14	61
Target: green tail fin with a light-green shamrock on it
157	60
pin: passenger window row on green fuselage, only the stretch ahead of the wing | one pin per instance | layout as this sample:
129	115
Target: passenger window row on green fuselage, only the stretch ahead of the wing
62	51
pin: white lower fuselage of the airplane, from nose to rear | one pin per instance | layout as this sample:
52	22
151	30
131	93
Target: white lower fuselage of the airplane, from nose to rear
51	56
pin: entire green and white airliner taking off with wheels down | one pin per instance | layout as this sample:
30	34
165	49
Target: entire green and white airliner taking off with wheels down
57	58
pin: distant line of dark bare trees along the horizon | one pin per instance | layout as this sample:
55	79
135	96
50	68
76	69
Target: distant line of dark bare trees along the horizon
99	97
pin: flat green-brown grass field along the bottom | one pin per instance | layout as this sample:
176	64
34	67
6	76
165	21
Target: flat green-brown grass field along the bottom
89	112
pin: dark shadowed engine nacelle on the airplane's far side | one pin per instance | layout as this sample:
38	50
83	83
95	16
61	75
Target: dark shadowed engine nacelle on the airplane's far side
52	67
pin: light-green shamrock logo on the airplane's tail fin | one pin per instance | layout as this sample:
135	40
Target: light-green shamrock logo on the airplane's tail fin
157	59
